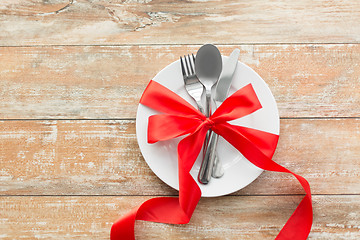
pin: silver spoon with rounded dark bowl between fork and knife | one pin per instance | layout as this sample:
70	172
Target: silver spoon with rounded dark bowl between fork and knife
208	66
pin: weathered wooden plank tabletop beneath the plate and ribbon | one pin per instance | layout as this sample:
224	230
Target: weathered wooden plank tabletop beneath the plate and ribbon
72	73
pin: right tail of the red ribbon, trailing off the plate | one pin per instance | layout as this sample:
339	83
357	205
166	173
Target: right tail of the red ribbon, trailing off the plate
299	224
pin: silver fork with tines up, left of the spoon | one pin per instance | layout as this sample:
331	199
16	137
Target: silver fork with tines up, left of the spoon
195	89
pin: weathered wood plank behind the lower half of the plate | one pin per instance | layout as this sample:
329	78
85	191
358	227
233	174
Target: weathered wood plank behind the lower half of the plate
88	157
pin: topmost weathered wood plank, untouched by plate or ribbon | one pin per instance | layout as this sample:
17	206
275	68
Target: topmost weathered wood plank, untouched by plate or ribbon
177	22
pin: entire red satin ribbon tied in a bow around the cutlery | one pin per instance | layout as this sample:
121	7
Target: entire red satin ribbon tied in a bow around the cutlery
180	118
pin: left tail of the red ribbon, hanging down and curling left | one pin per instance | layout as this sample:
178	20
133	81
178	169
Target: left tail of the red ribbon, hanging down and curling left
171	210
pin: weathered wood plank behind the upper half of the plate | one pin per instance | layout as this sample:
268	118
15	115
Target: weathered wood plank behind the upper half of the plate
107	82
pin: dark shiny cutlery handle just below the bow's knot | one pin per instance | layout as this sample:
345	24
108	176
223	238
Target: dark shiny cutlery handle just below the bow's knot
207	164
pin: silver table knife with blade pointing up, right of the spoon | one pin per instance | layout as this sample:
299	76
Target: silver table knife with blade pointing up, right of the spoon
221	92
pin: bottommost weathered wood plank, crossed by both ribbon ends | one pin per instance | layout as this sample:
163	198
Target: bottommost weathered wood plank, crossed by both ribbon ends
260	217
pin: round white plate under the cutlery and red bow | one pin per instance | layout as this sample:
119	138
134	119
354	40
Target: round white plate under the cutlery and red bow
239	172
